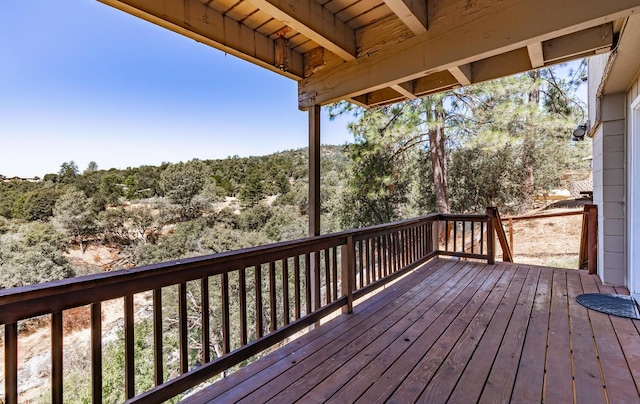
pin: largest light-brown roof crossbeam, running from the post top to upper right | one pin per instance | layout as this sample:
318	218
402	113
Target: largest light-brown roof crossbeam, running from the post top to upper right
505	26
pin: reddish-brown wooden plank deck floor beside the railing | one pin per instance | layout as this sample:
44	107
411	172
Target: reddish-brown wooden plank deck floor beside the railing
454	331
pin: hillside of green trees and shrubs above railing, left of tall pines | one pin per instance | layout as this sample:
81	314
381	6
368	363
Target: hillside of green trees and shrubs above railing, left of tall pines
153	214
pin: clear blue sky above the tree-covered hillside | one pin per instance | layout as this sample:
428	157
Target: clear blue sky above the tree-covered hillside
85	82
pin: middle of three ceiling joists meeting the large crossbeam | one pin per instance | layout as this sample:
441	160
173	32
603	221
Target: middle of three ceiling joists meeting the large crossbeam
315	22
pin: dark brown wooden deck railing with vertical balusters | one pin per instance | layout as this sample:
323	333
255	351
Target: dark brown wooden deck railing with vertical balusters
252	299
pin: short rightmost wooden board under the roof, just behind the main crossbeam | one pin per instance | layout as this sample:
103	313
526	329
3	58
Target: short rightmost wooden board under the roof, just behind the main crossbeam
592	39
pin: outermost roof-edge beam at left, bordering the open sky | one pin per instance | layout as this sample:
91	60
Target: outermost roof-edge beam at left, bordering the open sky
193	19
